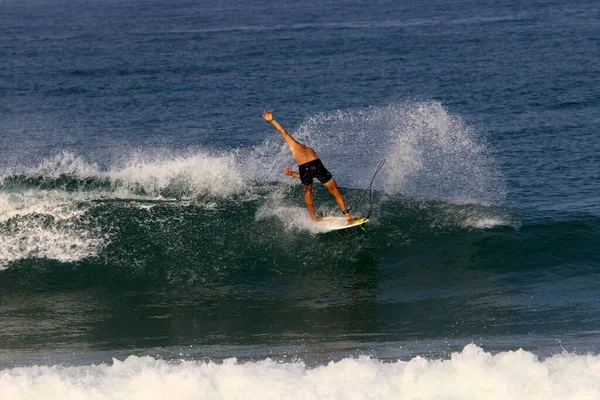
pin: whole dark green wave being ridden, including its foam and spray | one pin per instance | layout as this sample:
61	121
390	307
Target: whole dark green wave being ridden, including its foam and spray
206	219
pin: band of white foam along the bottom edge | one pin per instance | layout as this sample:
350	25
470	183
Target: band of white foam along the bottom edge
470	374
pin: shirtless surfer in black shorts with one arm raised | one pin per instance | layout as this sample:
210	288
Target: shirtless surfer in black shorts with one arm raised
310	166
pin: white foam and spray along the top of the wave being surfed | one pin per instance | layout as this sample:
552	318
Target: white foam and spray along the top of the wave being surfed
53	209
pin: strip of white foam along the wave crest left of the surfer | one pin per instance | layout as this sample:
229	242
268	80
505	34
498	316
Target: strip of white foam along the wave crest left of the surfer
146	175
